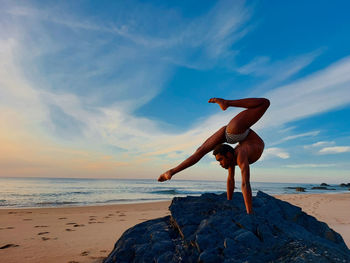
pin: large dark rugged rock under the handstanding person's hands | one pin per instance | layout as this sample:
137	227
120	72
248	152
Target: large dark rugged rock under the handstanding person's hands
210	228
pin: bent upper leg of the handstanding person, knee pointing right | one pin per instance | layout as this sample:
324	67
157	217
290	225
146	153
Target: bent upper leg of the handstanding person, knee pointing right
256	108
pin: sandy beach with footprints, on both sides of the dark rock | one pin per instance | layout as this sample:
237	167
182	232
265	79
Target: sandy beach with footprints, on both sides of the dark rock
88	234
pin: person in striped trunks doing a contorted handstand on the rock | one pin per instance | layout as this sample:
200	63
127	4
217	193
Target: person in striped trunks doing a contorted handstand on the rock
249	149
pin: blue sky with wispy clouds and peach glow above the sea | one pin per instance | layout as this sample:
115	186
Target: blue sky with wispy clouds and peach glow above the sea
119	89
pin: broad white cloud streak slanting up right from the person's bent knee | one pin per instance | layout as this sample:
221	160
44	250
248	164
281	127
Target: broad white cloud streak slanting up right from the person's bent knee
320	92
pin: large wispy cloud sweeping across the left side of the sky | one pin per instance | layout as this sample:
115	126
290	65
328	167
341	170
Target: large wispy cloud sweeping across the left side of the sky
87	94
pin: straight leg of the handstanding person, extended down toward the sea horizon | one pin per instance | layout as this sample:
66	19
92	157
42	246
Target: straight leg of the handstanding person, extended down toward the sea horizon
209	145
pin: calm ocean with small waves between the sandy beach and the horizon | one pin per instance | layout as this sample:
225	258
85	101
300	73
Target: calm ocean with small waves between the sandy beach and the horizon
58	192
